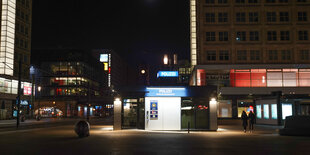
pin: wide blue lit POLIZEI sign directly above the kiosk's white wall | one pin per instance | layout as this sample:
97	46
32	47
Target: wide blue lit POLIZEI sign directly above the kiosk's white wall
166	92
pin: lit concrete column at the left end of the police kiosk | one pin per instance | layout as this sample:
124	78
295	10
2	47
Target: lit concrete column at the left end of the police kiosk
117	114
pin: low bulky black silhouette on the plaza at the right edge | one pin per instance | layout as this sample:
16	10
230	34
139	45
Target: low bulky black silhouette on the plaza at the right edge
296	126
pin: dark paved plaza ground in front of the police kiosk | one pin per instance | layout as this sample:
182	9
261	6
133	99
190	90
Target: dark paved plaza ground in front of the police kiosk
229	139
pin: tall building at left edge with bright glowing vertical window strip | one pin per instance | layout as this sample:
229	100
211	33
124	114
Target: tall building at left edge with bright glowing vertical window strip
16	17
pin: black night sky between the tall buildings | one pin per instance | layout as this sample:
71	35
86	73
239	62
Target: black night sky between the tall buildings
136	29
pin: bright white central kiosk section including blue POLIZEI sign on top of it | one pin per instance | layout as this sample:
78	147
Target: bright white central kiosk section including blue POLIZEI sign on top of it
163	108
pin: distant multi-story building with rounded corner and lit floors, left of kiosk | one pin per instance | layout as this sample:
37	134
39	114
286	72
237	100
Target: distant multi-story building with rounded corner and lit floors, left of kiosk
71	81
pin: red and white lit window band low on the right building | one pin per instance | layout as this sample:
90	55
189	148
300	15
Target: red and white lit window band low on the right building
262	77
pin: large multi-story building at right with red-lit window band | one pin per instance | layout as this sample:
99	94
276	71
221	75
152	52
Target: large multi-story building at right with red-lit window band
251	47
